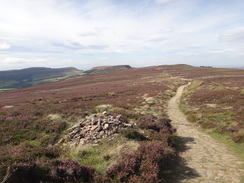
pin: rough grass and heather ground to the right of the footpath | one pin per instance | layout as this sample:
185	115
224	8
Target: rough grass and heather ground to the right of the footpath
217	106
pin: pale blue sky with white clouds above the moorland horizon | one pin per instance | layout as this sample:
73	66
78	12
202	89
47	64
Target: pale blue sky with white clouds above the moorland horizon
140	33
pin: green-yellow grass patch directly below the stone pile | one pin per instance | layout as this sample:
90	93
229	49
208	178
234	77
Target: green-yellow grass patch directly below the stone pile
101	155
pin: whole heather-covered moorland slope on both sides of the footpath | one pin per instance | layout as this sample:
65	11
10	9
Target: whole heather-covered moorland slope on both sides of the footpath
60	132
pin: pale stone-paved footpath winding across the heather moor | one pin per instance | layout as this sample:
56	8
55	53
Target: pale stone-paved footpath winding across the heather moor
208	160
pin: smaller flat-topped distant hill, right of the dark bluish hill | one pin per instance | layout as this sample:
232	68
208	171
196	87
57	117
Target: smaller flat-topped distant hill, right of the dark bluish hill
106	69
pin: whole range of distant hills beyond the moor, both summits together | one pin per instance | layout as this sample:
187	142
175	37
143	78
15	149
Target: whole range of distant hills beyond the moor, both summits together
14	79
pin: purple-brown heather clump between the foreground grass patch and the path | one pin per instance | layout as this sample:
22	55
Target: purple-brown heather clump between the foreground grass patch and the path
147	164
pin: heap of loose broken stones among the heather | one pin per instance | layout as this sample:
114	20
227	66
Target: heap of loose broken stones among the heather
94	128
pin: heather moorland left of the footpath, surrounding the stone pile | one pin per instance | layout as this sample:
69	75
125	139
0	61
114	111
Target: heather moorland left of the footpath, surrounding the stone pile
42	116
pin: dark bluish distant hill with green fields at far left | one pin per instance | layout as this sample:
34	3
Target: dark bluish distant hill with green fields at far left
34	76
